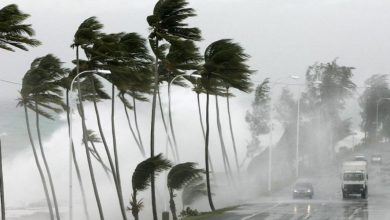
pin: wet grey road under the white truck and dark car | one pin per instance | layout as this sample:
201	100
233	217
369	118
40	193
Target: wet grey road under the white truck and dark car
327	202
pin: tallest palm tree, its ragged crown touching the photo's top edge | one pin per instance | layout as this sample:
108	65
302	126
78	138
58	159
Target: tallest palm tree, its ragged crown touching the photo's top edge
166	23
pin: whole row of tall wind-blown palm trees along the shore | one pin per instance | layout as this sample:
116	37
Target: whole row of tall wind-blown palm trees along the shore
135	74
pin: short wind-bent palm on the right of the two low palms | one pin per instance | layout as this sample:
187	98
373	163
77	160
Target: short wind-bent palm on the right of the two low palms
178	177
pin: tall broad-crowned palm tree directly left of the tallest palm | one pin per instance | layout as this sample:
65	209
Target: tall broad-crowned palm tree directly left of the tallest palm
126	55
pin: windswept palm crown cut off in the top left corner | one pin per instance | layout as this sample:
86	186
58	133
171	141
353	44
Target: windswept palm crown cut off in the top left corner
13	32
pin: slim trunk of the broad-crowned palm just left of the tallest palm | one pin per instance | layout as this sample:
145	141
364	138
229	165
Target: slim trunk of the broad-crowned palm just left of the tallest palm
122	205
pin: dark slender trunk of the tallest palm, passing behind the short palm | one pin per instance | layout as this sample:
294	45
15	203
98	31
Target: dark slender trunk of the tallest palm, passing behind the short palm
152	181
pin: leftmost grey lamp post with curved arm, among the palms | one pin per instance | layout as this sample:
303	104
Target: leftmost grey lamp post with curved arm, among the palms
71	139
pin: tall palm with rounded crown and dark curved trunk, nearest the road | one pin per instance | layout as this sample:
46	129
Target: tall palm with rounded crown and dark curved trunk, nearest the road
223	61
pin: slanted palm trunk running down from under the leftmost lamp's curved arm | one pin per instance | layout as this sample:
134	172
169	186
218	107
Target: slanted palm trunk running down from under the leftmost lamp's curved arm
85	138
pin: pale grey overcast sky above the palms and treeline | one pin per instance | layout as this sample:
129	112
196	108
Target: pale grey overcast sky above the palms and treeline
283	37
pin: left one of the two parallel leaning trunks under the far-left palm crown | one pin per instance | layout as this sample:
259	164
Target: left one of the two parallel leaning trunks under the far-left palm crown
38	165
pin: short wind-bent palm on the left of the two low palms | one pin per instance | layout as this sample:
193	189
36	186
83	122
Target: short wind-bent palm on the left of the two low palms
142	176
